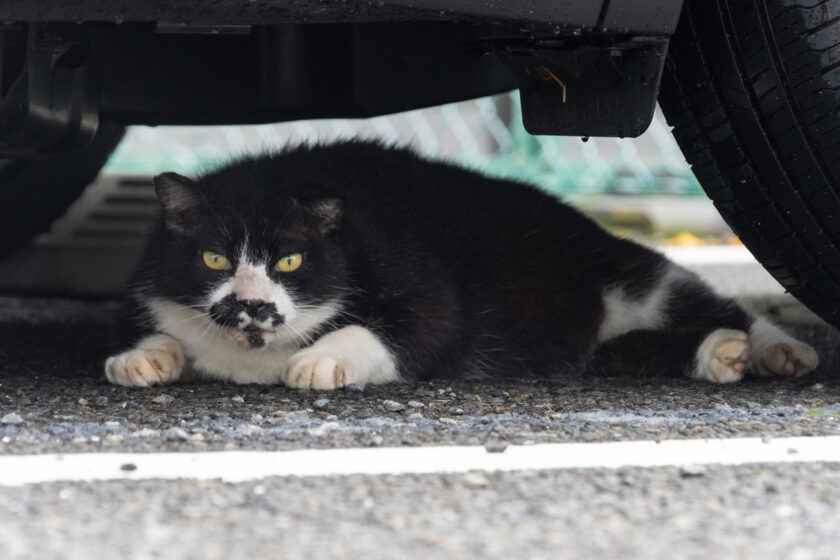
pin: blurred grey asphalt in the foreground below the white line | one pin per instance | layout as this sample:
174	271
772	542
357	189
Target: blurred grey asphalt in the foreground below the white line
746	512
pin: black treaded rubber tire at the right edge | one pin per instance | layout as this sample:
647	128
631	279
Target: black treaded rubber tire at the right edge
752	89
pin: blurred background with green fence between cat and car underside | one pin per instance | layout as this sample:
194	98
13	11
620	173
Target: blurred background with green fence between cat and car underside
641	188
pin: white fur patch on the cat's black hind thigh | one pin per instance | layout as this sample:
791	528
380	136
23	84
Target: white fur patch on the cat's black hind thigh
623	314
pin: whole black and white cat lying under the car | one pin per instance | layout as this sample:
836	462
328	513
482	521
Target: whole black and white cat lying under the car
355	263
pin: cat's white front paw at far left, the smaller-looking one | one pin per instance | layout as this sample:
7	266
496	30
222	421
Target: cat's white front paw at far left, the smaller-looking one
156	359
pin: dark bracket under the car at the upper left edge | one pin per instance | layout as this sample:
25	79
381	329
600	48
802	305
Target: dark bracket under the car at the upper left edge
49	102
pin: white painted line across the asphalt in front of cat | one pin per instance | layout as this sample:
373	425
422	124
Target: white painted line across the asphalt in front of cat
239	466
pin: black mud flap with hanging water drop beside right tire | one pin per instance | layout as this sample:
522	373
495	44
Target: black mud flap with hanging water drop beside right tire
589	88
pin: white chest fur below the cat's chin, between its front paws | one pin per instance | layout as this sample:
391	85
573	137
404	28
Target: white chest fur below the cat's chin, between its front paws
213	354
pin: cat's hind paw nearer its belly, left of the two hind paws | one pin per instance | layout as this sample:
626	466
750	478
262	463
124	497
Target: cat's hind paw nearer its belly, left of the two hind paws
723	356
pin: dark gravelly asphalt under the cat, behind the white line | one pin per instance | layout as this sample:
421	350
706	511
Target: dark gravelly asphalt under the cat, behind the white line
53	398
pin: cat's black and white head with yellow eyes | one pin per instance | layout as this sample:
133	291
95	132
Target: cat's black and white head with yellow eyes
260	265
